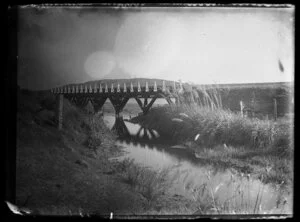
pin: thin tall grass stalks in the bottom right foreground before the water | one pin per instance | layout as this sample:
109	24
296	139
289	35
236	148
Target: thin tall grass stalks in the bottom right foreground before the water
238	201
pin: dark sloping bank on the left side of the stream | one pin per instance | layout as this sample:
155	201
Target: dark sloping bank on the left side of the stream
68	172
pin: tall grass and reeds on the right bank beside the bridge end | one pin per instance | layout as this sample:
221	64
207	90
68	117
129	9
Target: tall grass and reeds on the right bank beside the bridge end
215	125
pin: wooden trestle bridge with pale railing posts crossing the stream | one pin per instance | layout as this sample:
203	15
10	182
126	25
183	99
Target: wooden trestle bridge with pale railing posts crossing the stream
118	92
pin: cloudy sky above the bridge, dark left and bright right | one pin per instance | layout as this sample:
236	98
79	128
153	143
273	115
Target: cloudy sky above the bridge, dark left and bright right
201	45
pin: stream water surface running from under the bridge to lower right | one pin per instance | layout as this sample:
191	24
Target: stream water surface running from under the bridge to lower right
148	148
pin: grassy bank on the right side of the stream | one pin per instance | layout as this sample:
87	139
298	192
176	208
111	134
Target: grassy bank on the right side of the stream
263	149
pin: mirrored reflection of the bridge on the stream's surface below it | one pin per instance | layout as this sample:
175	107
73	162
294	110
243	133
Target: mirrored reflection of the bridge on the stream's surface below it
136	137
